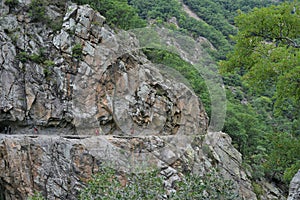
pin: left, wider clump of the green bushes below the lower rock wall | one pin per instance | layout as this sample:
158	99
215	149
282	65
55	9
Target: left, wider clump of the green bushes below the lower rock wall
106	185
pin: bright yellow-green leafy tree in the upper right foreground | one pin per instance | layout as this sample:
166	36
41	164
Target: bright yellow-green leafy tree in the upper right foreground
267	50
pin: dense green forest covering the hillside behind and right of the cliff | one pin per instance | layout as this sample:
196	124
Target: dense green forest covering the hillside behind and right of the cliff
256	47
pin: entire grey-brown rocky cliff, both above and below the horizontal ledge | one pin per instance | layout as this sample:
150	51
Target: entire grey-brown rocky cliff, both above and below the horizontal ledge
84	95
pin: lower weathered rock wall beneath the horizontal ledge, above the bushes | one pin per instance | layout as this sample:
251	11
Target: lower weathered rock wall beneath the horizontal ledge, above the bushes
60	166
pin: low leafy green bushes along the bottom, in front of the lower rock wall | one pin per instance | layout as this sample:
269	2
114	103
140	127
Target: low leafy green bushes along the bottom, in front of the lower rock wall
109	184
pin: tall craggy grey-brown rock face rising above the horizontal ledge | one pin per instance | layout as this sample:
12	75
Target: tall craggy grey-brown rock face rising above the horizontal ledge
85	77
